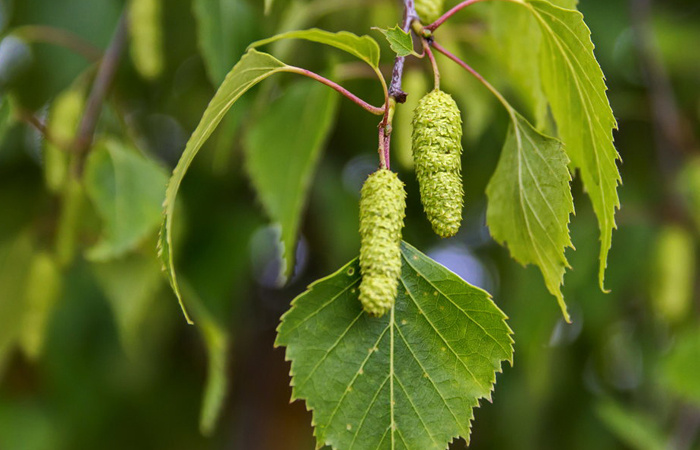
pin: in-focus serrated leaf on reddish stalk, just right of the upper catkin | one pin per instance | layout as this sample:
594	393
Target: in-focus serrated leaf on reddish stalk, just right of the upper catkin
530	202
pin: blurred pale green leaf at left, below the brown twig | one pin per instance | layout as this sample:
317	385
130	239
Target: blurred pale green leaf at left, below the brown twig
127	191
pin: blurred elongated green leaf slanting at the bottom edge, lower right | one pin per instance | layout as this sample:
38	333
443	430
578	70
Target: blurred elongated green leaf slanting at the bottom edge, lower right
634	429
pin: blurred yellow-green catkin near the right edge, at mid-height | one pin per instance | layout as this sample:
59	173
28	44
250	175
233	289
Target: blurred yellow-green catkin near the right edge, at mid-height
673	273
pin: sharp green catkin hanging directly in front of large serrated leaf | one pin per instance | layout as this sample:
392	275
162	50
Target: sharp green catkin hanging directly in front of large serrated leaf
382	211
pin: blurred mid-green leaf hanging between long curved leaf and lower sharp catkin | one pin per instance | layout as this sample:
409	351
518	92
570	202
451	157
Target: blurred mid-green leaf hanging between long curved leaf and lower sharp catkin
283	149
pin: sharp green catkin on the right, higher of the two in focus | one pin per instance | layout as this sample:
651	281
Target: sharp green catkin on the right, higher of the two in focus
437	155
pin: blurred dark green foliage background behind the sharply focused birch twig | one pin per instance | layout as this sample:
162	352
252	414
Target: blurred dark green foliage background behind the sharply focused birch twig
94	351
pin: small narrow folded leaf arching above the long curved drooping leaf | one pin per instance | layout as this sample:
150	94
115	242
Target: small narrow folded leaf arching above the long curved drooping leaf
363	47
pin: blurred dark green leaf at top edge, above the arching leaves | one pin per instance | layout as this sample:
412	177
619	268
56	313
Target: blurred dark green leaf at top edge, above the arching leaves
224	28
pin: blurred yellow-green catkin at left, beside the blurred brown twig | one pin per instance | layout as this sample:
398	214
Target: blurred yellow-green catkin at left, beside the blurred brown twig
64	118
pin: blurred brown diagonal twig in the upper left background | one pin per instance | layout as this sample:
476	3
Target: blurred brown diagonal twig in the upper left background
103	81
